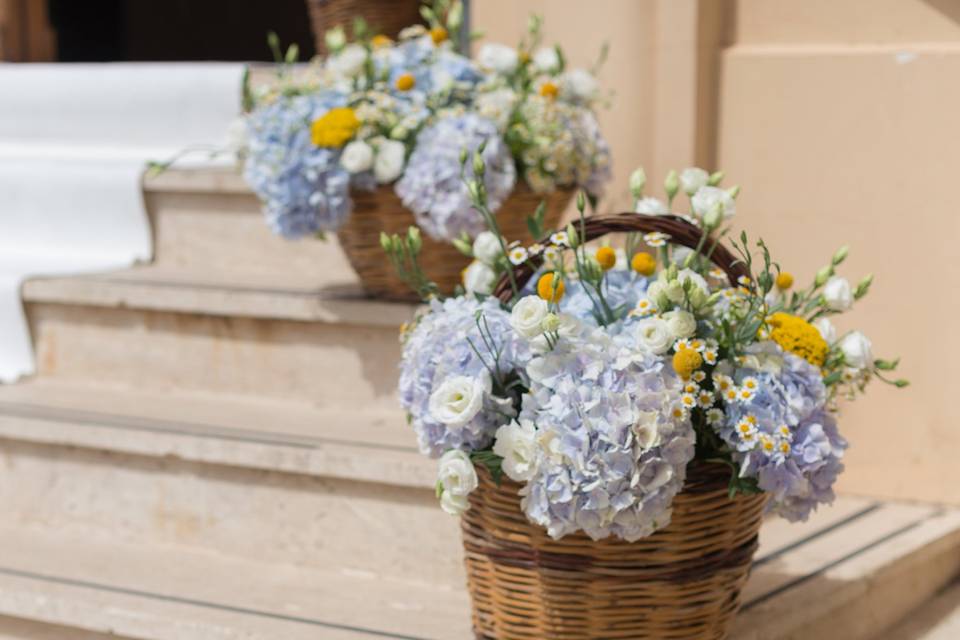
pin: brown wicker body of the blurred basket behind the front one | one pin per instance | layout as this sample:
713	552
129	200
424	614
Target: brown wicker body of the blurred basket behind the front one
382	210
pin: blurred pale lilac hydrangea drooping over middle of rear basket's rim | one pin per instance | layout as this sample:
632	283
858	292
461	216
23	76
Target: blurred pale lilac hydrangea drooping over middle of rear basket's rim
432	186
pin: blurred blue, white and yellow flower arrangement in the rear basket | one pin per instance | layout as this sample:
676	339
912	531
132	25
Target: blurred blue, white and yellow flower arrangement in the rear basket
379	112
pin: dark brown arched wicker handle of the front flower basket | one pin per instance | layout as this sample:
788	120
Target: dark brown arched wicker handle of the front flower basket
680	231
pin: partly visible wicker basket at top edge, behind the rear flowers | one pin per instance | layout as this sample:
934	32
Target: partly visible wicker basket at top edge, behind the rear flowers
384	16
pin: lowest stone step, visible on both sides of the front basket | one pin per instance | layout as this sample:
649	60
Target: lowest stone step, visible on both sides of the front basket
851	572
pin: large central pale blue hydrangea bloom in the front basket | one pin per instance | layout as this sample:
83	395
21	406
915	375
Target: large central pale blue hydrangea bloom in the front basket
611	456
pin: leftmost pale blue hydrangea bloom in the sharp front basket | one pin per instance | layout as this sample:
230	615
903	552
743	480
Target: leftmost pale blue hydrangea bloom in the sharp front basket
437	349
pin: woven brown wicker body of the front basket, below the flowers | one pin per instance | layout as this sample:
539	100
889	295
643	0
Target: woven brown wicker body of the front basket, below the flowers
684	581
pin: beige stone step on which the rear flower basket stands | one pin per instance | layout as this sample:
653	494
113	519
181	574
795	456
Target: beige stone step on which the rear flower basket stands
156	328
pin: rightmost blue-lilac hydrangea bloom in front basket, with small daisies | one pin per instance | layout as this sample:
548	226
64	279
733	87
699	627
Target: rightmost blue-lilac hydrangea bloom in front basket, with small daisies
795	452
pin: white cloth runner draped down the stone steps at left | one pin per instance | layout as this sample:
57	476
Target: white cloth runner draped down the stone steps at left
74	142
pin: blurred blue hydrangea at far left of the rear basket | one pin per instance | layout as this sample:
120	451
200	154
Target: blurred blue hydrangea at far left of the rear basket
303	187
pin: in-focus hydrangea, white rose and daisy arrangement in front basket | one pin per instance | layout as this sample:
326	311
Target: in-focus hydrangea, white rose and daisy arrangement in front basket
599	381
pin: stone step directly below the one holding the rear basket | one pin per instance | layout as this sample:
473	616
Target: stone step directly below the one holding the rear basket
248	478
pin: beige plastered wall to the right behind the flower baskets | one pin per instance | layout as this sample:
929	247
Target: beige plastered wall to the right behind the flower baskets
841	120
